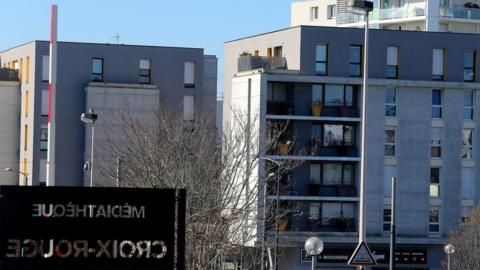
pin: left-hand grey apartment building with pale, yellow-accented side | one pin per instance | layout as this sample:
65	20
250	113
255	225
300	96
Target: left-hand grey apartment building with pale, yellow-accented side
110	78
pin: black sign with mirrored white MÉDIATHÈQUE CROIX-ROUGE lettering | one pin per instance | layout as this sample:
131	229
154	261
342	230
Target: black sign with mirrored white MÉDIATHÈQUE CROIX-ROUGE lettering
91	228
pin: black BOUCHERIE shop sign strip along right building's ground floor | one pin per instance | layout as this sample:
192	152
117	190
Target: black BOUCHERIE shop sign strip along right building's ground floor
381	255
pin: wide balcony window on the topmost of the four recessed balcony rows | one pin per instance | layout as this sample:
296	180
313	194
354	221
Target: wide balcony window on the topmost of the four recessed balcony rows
333	95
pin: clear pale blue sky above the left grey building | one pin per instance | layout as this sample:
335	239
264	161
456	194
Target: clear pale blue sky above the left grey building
184	23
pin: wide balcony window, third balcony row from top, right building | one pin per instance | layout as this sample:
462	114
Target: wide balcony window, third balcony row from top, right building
332	173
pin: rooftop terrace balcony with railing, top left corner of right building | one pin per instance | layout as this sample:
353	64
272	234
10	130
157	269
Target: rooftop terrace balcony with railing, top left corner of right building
249	62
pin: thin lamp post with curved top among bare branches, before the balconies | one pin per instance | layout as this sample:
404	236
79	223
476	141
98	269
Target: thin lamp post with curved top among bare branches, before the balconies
275	266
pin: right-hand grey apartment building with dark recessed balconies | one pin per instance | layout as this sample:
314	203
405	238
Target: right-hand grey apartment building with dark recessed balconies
423	122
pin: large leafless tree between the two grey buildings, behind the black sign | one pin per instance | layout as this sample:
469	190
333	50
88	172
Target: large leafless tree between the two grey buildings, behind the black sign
223	183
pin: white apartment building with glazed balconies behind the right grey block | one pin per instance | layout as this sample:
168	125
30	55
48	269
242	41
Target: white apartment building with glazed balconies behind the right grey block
461	16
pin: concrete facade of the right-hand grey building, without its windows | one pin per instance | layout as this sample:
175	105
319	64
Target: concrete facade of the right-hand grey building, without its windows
413	126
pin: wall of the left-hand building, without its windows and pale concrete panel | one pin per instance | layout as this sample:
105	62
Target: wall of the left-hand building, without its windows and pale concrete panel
120	65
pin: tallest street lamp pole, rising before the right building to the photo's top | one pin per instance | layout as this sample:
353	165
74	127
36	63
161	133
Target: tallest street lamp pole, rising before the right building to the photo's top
365	7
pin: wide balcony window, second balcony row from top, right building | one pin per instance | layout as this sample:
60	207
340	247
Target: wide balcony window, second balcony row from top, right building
338	135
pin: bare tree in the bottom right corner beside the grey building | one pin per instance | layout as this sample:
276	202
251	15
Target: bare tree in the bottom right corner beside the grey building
467	243
